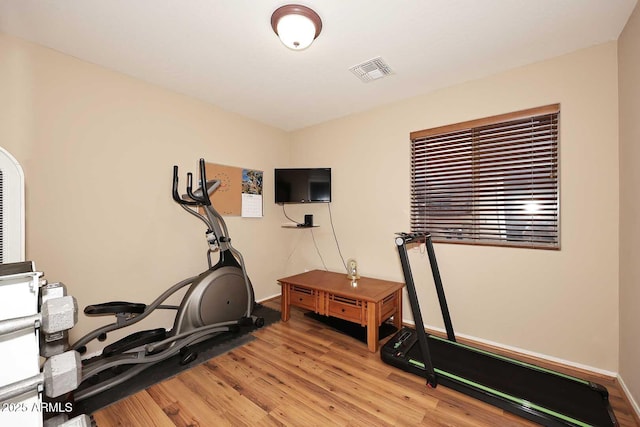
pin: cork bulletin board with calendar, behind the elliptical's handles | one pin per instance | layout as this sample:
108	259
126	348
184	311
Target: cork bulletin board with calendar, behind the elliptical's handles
240	191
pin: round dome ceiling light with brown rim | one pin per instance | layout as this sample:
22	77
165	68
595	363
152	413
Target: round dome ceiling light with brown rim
297	26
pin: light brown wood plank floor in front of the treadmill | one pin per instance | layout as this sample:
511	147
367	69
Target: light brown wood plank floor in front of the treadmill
299	373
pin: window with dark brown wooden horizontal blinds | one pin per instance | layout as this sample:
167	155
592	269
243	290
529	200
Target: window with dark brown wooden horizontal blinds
491	181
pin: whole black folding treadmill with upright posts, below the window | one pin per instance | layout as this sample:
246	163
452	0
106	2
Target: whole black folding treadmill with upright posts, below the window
540	395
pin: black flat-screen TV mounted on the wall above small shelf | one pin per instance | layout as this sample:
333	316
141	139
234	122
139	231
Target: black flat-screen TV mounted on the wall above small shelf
303	185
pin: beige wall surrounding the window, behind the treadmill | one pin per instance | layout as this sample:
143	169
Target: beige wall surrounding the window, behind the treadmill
562	304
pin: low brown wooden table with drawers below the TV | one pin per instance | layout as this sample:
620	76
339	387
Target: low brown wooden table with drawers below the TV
369	303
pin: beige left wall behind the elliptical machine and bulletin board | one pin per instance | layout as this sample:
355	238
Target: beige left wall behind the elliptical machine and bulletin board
97	149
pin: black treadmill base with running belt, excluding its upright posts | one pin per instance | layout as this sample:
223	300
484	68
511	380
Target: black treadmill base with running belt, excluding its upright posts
530	388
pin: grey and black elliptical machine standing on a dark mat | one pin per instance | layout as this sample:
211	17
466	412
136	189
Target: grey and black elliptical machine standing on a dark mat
220	299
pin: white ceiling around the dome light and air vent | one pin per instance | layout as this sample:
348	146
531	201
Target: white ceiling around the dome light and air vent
225	52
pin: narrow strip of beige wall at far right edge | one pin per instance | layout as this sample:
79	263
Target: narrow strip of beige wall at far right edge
629	92
